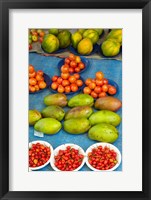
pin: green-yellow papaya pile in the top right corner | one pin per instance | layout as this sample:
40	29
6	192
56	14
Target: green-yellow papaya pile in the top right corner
112	44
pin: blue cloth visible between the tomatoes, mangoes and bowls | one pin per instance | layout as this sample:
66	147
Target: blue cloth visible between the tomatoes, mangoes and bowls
112	70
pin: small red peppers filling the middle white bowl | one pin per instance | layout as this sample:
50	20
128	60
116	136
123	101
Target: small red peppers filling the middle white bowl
68	159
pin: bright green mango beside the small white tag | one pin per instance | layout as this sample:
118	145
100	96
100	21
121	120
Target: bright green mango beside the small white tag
48	126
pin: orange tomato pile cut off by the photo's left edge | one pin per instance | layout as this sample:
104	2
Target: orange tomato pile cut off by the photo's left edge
36	79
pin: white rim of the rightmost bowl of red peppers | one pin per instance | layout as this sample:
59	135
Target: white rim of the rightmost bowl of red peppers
103	144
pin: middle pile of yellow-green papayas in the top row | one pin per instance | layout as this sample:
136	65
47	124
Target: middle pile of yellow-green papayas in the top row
84	39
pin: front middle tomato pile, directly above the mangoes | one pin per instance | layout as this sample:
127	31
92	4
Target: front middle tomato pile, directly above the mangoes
66	83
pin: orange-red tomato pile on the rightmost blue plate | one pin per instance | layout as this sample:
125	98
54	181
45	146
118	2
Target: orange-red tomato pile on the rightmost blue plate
99	86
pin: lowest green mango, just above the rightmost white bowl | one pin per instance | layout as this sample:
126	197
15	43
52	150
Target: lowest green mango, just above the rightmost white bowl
103	132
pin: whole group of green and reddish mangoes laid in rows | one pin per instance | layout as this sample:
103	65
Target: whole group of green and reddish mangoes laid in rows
81	118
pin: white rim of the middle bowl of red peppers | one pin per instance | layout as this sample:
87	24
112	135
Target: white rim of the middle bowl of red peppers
63	147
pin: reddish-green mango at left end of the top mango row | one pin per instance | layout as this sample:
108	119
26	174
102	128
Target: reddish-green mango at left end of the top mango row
56	99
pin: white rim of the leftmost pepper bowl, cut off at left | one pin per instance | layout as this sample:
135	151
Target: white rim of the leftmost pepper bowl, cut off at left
51	155
